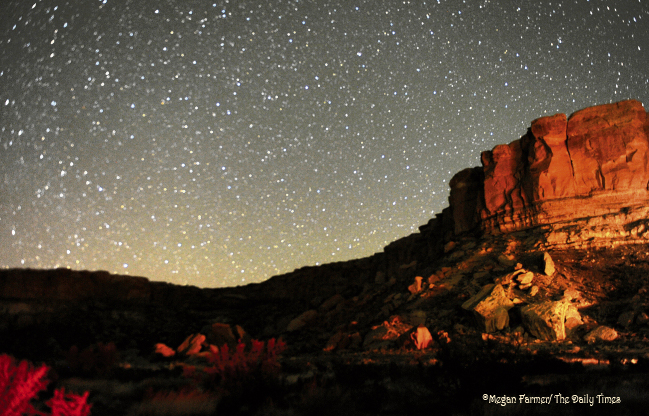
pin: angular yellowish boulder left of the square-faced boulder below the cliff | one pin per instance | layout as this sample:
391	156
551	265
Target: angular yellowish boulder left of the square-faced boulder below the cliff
490	308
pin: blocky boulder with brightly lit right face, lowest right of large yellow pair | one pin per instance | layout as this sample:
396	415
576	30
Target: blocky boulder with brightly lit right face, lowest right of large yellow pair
546	320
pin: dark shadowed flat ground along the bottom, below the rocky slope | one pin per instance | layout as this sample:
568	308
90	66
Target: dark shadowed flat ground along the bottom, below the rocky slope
382	383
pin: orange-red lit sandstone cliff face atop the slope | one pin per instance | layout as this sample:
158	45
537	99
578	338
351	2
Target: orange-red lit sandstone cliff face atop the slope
593	163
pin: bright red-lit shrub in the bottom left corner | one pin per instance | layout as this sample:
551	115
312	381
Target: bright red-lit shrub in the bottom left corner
19	384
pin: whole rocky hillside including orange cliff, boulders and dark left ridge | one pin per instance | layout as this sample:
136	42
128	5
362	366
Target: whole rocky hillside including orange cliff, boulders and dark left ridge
541	251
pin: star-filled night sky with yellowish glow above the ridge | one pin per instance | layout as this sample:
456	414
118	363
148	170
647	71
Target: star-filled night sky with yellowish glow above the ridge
220	143
